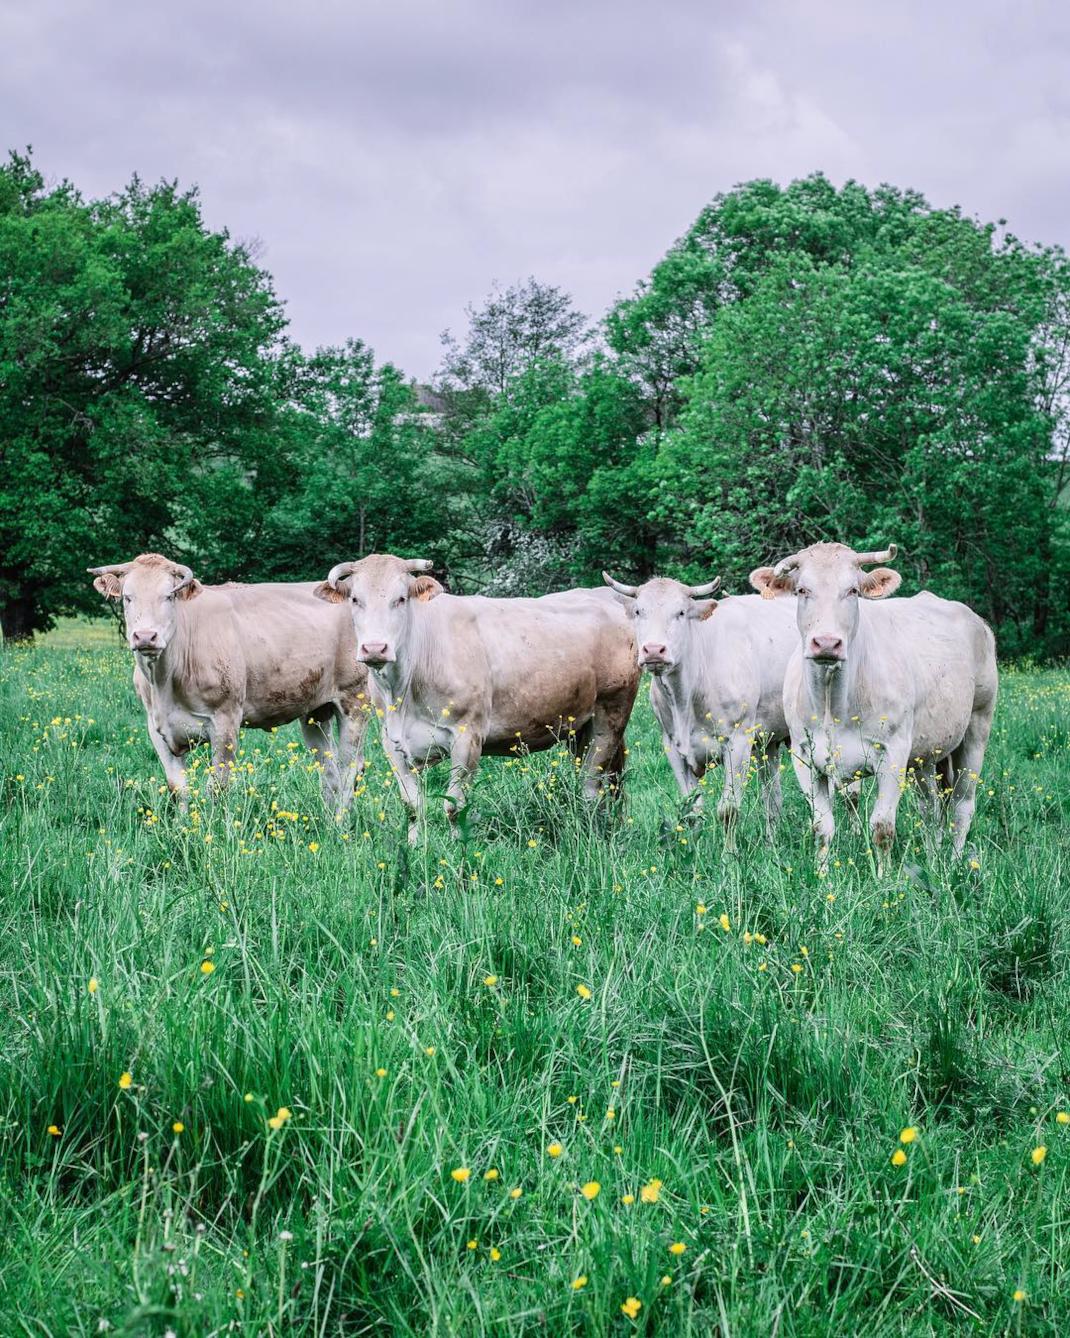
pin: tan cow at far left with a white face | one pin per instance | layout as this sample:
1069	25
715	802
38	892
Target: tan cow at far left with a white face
211	659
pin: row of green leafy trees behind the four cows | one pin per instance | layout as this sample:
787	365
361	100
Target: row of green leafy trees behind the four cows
806	363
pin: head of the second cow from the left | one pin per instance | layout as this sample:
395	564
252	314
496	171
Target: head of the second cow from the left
381	592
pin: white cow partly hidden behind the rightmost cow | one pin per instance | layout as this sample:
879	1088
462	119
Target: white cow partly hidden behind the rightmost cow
718	683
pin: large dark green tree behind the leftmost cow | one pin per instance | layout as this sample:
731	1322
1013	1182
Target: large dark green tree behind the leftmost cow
136	386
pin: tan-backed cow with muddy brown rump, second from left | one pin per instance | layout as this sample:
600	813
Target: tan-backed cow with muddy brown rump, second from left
461	676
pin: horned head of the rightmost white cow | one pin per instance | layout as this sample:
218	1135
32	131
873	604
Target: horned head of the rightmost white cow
829	580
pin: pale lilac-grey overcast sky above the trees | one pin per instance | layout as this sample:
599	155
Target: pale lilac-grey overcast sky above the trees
395	159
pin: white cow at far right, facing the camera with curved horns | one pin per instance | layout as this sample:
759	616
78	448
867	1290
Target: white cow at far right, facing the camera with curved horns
882	690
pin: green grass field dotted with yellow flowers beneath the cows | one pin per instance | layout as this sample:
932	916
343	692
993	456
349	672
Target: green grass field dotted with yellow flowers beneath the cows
265	1075
